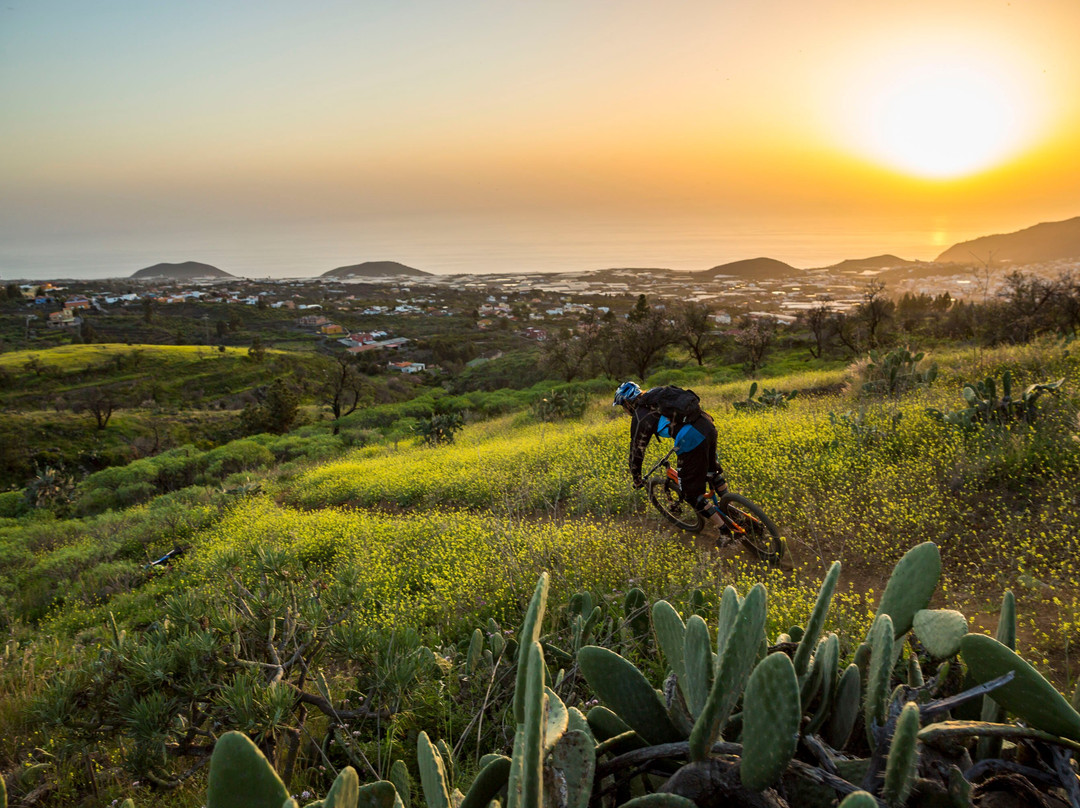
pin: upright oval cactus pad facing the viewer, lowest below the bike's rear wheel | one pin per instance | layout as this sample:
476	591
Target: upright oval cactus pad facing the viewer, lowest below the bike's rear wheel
772	717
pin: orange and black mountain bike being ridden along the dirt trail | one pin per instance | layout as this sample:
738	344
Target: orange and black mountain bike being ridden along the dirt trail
744	521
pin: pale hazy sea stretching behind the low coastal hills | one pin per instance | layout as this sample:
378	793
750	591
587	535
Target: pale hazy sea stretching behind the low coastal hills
479	247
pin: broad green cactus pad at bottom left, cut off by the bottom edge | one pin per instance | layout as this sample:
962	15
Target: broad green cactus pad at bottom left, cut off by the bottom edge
241	777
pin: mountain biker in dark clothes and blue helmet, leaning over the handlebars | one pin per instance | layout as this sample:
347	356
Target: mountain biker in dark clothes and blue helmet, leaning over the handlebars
695	448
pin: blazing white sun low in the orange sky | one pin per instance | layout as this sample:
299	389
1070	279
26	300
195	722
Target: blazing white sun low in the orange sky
941	117
